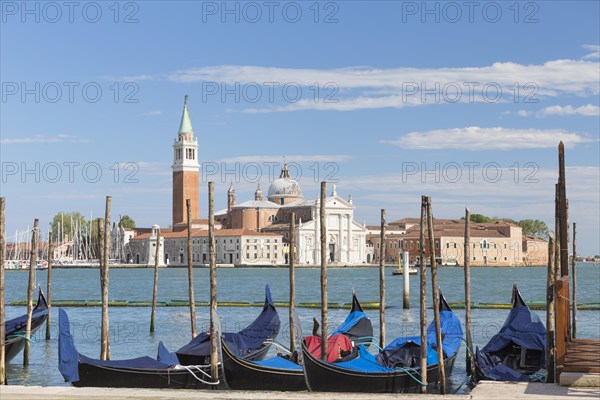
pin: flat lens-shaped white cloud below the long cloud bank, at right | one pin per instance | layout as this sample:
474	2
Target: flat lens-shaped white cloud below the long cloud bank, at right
496	138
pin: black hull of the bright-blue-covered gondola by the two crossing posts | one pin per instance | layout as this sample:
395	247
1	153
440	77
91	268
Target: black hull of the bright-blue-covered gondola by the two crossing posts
327	377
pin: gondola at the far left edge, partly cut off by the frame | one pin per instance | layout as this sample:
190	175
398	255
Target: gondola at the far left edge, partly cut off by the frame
15	329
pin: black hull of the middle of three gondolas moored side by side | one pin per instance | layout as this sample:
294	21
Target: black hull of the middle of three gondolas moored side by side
240	374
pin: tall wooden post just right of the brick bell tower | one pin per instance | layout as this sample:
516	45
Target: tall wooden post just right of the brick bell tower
214	358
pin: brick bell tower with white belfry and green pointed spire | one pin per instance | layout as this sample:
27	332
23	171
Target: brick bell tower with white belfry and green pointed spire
186	170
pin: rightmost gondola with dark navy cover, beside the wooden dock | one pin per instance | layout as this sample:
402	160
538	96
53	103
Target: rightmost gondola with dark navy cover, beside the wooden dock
518	351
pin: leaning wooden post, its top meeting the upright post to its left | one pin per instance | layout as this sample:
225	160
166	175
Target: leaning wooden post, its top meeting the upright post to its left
436	300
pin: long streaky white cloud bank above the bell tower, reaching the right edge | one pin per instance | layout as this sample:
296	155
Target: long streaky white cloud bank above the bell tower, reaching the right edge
355	88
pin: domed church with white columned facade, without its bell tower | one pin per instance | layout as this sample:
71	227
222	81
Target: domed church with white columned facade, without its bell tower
346	239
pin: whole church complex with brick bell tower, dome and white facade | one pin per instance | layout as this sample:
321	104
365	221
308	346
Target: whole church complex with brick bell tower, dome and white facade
252	232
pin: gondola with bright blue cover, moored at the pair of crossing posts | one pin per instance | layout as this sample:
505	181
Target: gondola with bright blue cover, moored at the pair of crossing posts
395	369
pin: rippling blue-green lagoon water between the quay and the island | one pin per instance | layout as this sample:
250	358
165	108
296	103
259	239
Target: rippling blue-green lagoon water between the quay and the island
130	325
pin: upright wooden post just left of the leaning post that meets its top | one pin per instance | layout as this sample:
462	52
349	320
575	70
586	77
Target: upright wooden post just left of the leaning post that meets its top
423	294
